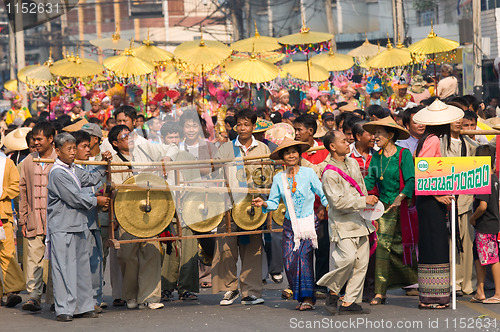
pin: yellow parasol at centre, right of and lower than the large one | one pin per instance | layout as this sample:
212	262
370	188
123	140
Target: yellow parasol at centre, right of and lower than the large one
252	70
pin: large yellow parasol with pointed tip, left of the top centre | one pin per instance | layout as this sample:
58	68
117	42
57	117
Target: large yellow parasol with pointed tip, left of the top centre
202	53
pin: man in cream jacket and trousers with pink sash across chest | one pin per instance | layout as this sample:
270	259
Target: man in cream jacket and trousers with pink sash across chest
350	248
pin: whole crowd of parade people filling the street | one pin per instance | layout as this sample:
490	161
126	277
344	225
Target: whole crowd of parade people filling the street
364	144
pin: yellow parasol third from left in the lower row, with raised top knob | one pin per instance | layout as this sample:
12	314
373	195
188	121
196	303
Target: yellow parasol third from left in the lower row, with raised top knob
128	65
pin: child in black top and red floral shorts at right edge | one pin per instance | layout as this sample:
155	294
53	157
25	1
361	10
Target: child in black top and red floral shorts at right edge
486	223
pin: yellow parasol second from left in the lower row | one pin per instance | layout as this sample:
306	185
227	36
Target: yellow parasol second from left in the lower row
76	67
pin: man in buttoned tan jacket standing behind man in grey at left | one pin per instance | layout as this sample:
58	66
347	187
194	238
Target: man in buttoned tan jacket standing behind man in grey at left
33	212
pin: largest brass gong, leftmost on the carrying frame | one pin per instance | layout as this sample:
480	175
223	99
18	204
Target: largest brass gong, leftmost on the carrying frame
142	212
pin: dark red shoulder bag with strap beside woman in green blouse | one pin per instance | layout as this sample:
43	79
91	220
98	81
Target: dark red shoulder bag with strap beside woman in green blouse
409	221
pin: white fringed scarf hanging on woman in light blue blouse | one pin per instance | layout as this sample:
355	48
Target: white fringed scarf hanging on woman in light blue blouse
303	228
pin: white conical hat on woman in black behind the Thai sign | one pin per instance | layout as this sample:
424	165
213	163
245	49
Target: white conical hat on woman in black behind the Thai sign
438	113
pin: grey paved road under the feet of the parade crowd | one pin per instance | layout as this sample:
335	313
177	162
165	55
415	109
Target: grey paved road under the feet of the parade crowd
399	314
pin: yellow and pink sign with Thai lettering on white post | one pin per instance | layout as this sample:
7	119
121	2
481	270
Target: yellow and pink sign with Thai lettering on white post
453	176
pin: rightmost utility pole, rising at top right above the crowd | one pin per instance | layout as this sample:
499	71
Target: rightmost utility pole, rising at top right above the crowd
476	26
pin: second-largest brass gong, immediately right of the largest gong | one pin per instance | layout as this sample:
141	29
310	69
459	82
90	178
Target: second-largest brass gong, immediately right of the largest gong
202	212
